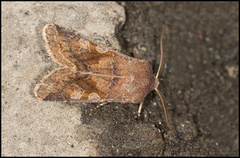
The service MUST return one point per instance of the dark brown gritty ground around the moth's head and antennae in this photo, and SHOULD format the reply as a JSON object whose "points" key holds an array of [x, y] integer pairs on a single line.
{"points": [[199, 80]]}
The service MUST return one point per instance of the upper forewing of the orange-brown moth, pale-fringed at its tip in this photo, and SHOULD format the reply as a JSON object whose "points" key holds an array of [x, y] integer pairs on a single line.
{"points": [[72, 50]]}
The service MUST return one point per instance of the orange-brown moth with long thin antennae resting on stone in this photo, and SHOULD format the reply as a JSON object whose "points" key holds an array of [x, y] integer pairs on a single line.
{"points": [[93, 72]]}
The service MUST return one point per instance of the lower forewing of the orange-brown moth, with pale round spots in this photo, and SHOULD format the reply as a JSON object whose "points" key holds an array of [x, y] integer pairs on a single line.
{"points": [[63, 84]]}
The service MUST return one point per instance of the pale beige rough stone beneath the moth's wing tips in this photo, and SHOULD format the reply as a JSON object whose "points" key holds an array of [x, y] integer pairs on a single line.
{"points": [[31, 127]]}
